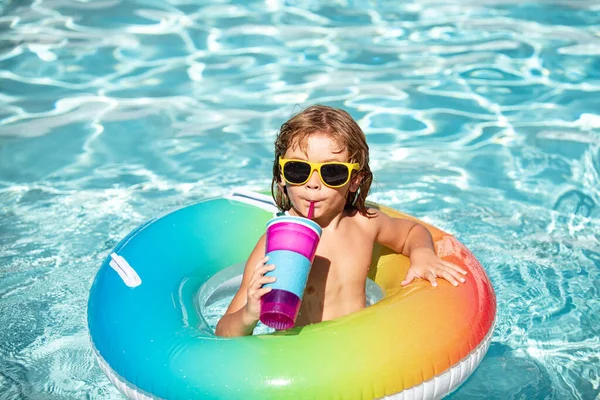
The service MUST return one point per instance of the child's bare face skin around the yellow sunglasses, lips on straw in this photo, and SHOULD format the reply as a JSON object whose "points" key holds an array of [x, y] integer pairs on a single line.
{"points": [[328, 201]]}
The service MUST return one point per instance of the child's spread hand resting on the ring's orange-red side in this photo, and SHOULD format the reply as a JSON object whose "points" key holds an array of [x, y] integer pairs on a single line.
{"points": [[426, 265]]}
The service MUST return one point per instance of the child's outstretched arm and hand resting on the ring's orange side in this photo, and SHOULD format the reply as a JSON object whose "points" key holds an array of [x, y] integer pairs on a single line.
{"points": [[414, 241]]}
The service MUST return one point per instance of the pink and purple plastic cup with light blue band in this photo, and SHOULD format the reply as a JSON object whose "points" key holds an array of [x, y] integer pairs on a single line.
{"points": [[291, 246]]}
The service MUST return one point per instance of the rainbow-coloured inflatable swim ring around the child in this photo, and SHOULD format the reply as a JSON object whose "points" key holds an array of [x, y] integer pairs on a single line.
{"points": [[146, 323]]}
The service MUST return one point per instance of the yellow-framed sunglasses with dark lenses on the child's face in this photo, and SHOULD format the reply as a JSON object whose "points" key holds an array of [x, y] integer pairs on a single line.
{"points": [[333, 174]]}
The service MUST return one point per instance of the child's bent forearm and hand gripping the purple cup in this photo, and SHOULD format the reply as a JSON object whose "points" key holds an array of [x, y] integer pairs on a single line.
{"points": [[244, 311]]}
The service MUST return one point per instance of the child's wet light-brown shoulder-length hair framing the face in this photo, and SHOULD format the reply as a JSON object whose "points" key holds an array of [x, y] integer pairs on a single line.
{"points": [[339, 126]]}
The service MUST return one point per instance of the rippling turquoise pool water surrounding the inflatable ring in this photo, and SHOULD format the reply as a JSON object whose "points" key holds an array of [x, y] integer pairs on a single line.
{"points": [[482, 119]]}
